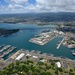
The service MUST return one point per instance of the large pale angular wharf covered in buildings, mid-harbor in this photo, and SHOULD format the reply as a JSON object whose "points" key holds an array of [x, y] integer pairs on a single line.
{"points": [[43, 38]]}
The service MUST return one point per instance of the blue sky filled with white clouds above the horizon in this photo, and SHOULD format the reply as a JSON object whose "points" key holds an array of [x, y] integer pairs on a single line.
{"points": [[36, 6]]}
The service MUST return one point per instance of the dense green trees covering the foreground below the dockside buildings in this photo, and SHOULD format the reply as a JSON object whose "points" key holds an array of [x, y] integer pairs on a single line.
{"points": [[34, 68]]}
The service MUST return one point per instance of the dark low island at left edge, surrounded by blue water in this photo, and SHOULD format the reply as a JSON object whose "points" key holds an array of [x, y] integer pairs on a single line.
{"points": [[5, 32]]}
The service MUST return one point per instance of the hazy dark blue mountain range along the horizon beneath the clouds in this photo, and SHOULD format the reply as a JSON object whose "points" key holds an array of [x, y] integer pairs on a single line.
{"points": [[44, 17]]}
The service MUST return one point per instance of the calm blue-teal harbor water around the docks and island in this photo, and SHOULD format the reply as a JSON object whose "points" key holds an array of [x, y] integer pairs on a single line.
{"points": [[21, 39]]}
